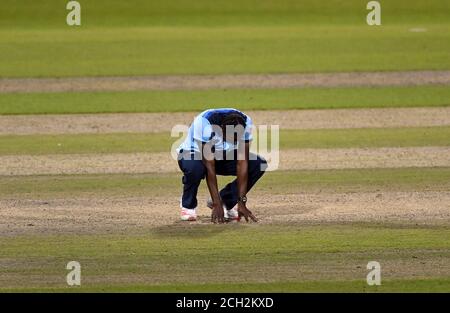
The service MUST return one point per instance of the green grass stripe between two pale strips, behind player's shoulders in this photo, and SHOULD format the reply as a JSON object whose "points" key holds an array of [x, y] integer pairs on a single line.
{"points": [[161, 142]]}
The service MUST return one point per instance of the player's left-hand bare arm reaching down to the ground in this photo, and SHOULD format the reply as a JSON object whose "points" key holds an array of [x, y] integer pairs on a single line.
{"points": [[211, 180]]}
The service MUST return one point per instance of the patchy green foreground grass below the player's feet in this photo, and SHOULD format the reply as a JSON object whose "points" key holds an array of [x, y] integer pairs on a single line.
{"points": [[172, 258]]}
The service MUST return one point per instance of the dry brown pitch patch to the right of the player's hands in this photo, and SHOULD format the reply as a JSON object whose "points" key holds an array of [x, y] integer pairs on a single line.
{"points": [[421, 207]]}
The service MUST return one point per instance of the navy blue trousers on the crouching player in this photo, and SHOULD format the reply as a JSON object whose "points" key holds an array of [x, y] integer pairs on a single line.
{"points": [[194, 171]]}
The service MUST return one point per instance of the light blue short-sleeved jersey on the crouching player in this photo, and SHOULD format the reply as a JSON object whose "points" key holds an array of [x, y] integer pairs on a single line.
{"points": [[202, 130]]}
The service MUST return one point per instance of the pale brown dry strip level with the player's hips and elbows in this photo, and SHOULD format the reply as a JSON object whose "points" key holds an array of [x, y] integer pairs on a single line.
{"points": [[295, 159]]}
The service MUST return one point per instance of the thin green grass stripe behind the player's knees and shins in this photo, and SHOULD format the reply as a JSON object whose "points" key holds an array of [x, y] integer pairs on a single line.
{"points": [[279, 182]]}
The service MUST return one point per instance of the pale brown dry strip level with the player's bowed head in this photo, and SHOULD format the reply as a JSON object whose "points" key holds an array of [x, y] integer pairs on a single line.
{"points": [[163, 122]]}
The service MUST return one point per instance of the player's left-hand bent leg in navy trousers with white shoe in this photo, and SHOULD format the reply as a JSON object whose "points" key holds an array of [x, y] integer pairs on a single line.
{"points": [[193, 173]]}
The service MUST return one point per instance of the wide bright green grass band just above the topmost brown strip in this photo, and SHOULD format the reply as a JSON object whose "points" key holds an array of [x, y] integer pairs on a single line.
{"points": [[215, 51]]}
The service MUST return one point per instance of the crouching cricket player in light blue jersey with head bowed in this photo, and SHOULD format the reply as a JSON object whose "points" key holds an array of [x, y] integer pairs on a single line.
{"points": [[218, 143]]}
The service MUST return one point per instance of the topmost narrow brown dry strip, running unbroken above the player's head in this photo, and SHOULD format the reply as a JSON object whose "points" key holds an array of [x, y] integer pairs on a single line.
{"points": [[199, 82]]}
